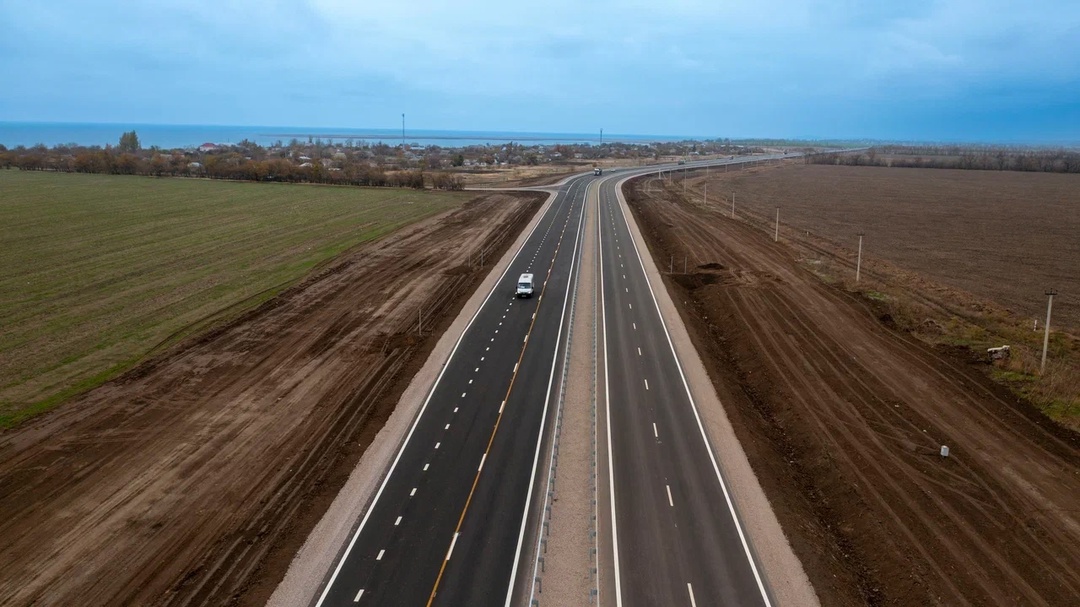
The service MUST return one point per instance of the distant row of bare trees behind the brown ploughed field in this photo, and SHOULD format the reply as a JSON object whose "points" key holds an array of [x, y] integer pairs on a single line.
{"points": [[957, 157]]}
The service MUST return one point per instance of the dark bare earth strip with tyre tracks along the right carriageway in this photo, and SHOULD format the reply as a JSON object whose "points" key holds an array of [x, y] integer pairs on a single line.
{"points": [[844, 417]]}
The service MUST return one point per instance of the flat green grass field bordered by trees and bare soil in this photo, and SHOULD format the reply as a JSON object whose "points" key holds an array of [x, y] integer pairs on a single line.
{"points": [[97, 272]]}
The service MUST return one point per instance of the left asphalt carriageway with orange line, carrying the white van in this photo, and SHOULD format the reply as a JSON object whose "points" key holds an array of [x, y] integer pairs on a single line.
{"points": [[445, 527]]}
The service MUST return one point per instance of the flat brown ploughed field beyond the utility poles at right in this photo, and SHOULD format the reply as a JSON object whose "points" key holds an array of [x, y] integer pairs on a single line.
{"points": [[1003, 236]]}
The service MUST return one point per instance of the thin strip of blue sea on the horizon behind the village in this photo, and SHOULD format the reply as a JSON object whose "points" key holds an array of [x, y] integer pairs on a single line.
{"points": [[193, 136]]}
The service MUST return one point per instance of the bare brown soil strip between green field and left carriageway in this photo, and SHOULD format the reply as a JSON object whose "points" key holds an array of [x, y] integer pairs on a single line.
{"points": [[194, 479]]}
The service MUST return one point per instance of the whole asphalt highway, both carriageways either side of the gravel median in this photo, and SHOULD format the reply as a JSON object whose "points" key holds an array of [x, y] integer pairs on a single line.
{"points": [[449, 524]]}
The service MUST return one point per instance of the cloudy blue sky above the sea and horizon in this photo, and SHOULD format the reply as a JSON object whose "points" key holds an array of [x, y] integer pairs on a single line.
{"points": [[949, 71]]}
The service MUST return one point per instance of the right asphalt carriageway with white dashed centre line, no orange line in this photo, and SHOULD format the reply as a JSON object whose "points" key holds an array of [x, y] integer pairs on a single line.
{"points": [[676, 537]]}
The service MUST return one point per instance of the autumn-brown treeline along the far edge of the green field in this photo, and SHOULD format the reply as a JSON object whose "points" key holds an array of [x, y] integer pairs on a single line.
{"points": [[227, 166]]}
